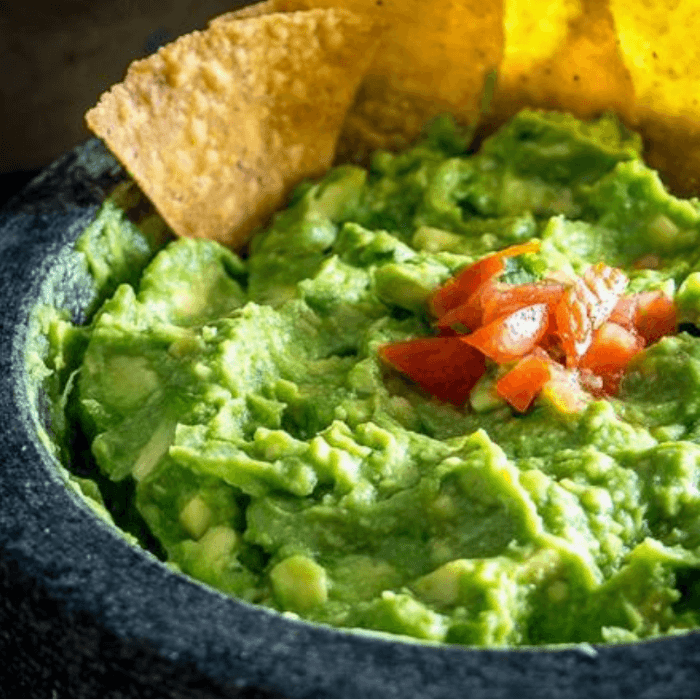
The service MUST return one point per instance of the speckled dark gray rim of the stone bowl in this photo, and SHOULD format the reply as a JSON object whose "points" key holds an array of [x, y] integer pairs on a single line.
{"points": [[86, 567]]}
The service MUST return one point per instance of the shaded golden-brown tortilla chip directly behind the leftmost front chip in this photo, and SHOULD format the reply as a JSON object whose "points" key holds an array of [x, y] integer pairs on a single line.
{"points": [[433, 58]]}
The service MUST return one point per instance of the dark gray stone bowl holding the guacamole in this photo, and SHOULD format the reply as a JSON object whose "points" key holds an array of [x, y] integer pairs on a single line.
{"points": [[83, 613]]}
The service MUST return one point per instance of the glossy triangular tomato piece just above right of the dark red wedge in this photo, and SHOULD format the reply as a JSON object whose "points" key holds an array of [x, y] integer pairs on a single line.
{"points": [[510, 337]]}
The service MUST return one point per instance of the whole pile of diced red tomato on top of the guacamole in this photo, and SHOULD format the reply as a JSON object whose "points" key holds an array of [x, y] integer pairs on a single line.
{"points": [[569, 338]]}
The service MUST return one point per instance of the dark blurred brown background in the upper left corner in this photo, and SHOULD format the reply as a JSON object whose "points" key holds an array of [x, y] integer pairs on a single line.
{"points": [[56, 58]]}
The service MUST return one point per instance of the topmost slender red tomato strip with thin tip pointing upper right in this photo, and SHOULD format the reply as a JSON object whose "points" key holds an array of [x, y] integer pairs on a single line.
{"points": [[457, 290]]}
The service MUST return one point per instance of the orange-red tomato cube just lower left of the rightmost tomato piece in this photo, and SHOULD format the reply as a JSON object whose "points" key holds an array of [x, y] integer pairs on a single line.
{"points": [[611, 350]]}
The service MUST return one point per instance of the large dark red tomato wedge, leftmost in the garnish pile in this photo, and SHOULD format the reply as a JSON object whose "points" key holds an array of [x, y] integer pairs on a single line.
{"points": [[443, 366]]}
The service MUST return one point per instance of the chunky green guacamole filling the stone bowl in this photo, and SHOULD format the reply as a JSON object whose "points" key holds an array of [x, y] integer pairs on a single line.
{"points": [[276, 458]]}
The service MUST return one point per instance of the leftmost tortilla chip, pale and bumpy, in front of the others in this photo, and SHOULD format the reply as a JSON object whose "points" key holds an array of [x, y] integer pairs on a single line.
{"points": [[219, 125]]}
